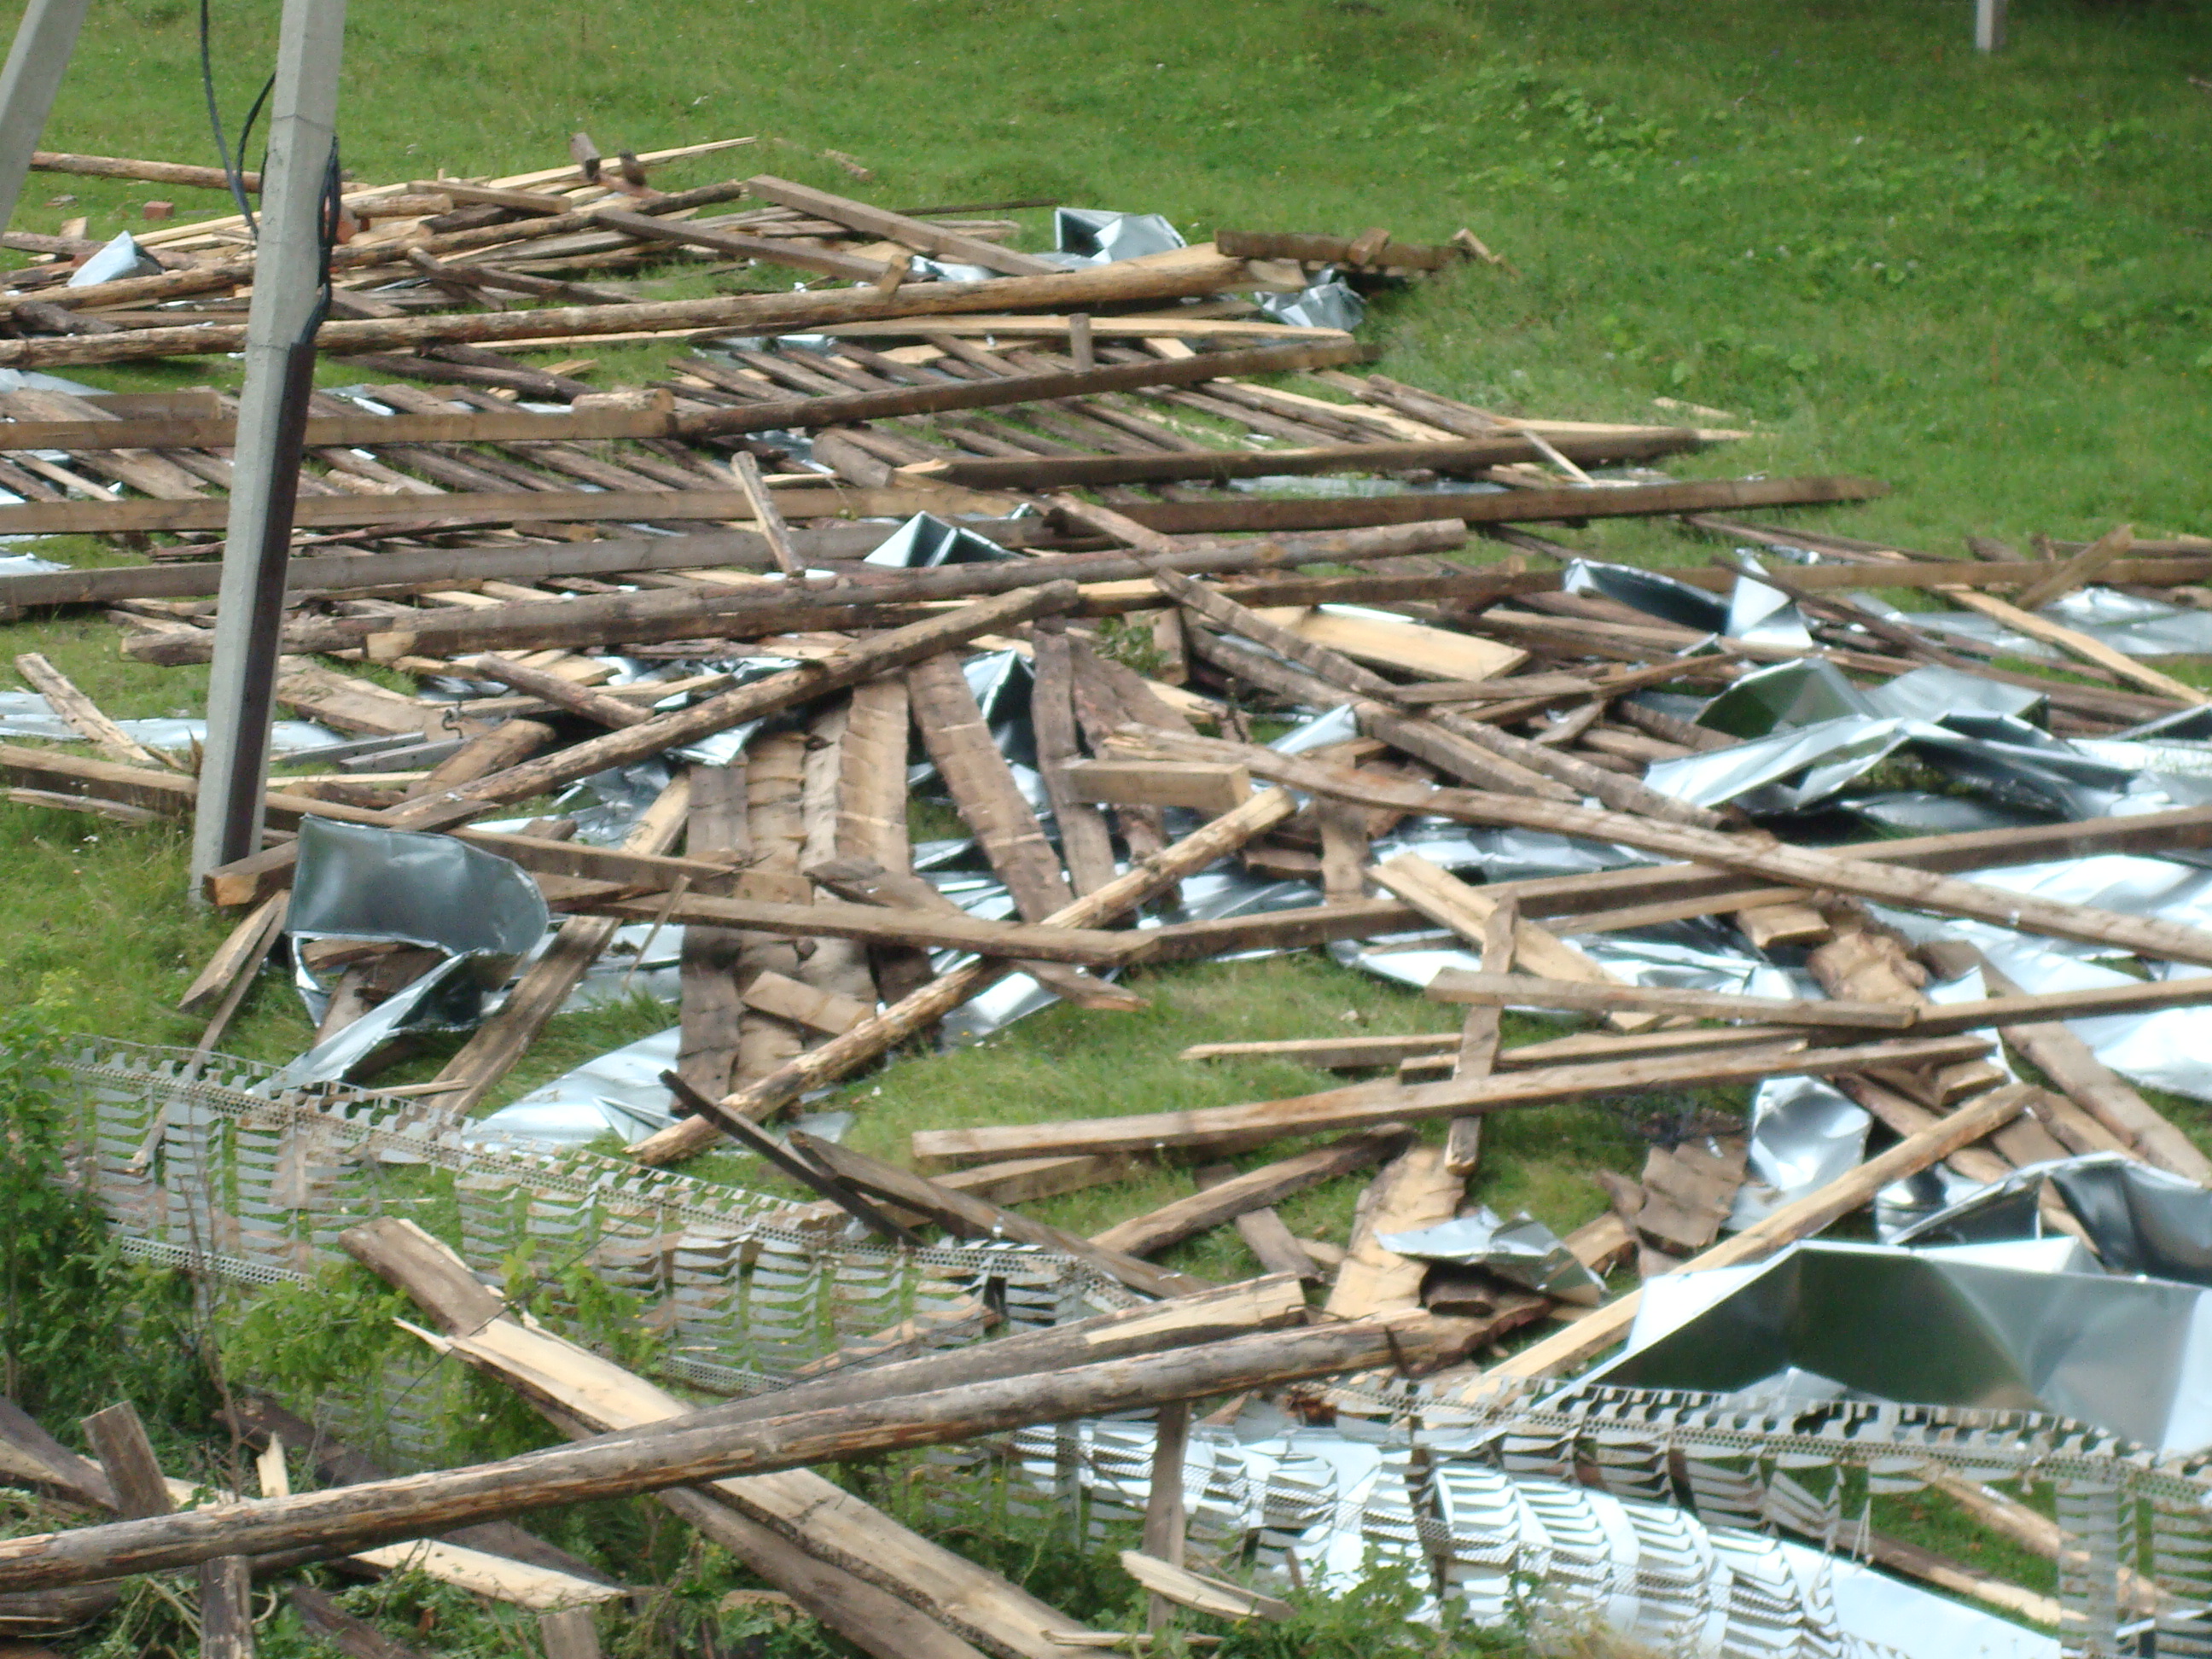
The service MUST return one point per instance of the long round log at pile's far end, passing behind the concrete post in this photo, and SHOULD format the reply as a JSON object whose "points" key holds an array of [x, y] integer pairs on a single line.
{"points": [[1196, 271]]}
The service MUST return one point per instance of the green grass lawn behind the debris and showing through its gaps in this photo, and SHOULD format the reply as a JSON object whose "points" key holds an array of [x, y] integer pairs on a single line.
{"points": [[1981, 282]]}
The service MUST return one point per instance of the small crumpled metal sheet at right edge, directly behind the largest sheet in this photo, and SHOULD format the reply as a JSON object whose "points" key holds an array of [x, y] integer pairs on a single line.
{"points": [[2138, 1218]]}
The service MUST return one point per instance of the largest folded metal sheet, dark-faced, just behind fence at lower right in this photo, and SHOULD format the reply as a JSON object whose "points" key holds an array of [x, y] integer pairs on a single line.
{"points": [[2127, 1355]]}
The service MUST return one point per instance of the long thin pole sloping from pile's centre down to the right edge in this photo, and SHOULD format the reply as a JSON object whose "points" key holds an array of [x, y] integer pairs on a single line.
{"points": [[1795, 866]]}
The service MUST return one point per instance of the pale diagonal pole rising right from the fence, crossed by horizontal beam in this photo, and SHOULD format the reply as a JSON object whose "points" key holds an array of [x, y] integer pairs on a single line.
{"points": [[935, 1001]]}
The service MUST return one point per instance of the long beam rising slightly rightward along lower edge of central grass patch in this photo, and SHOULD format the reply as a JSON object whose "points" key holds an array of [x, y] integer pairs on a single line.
{"points": [[1368, 1105]]}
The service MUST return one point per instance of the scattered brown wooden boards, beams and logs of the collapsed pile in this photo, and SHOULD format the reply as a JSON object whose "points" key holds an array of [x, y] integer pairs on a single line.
{"points": [[1083, 432]]}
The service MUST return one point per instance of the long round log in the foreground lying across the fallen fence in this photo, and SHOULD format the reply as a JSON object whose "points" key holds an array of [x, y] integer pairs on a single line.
{"points": [[353, 1519]]}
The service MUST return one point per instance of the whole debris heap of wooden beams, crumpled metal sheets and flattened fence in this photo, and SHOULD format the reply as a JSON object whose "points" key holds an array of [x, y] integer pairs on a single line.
{"points": [[1519, 782]]}
